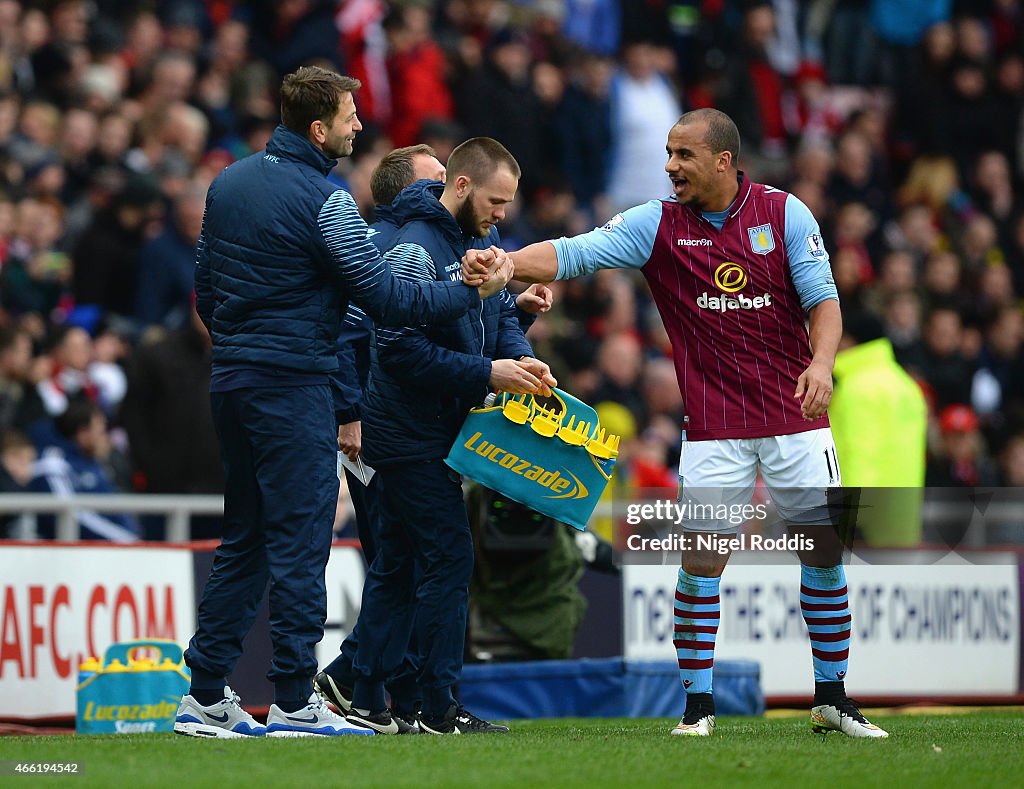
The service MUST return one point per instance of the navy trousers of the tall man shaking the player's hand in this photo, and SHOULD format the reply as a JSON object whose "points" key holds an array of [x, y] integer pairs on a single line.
{"points": [[281, 489]]}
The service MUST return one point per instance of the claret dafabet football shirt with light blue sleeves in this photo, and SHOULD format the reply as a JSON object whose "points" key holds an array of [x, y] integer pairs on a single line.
{"points": [[734, 290]]}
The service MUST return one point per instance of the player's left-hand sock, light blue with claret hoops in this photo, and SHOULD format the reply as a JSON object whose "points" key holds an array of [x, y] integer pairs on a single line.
{"points": [[698, 611]]}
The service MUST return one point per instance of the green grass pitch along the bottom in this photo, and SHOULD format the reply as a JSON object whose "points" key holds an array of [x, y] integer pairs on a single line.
{"points": [[969, 750]]}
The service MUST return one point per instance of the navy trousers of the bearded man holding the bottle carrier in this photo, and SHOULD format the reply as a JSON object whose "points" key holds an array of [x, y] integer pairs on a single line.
{"points": [[424, 523]]}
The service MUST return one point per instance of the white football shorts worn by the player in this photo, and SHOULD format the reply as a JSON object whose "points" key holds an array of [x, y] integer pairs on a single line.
{"points": [[798, 470]]}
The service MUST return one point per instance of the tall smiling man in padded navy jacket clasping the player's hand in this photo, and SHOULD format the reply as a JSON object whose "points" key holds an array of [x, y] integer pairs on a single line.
{"points": [[281, 254]]}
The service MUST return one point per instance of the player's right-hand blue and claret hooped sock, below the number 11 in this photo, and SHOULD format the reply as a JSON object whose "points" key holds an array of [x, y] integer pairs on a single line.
{"points": [[825, 603]]}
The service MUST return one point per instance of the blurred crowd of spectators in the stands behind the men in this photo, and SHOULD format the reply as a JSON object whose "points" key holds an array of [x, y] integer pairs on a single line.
{"points": [[898, 122]]}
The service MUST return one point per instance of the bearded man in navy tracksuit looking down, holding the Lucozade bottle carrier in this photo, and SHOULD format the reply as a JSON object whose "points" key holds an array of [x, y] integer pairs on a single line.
{"points": [[423, 382]]}
